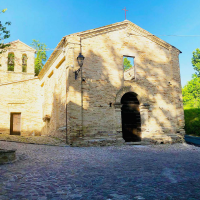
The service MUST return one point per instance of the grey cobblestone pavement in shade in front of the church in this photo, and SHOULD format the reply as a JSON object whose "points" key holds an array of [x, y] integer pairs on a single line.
{"points": [[123, 172]]}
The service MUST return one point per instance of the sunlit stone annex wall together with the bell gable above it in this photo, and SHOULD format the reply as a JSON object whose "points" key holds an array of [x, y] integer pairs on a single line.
{"points": [[20, 91]]}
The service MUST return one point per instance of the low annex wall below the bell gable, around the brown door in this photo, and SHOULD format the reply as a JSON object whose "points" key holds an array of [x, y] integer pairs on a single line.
{"points": [[22, 97]]}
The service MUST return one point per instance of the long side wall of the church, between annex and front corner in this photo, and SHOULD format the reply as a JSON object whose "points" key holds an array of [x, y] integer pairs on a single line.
{"points": [[53, 86]]}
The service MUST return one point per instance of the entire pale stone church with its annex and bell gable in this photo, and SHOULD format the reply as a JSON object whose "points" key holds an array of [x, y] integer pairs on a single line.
{"points": [[103, 103]]}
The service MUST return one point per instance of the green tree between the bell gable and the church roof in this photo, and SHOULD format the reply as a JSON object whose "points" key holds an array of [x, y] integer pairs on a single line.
{"points": [[40, 55]]}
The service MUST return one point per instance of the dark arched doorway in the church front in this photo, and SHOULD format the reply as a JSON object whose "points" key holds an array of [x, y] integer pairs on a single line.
{"points": [[131, 121]]}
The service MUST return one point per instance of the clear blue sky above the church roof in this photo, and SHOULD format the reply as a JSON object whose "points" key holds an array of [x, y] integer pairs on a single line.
{"points": [[49, 20]]}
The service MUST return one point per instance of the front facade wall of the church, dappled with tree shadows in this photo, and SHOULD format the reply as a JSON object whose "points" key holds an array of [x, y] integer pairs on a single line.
{"points": [[92, 112]]}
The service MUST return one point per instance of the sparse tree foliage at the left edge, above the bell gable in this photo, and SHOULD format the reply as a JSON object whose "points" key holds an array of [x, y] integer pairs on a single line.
{"points": [[4, 33]]}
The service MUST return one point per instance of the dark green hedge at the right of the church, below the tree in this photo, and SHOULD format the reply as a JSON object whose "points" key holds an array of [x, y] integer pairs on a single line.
{"points": [[192, 121]]}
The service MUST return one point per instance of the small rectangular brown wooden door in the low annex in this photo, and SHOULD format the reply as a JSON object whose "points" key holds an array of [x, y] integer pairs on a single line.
{"points": [[15, 128]]}
